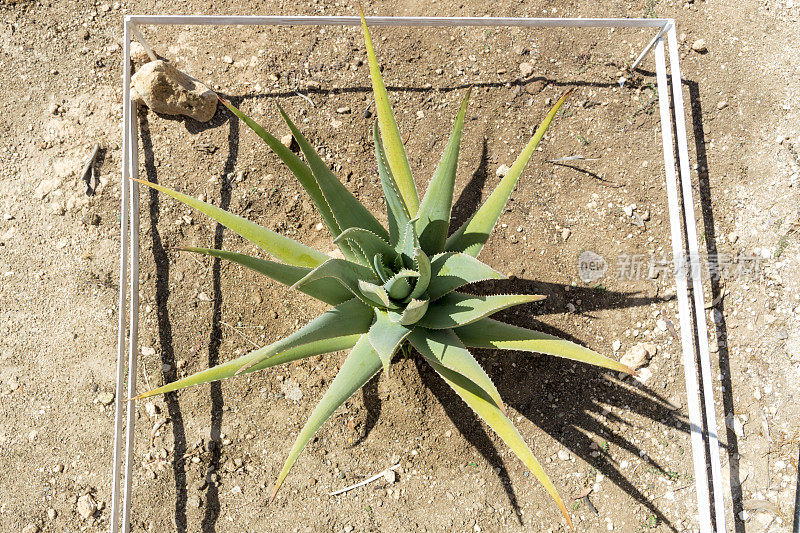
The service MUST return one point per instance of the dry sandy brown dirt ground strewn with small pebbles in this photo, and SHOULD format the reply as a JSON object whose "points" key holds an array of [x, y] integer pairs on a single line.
{"points": [[211, 464]]}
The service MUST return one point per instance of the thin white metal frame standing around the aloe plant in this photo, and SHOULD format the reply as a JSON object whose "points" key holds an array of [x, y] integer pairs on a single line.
{"points": [[681, 219]]}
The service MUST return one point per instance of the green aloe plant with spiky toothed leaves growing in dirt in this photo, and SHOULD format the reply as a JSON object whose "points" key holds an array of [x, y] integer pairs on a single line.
{"points": [[393, 288]]}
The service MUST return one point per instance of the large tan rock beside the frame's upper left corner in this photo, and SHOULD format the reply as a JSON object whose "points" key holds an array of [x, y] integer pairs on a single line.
{"points": [[165, 89]]}
